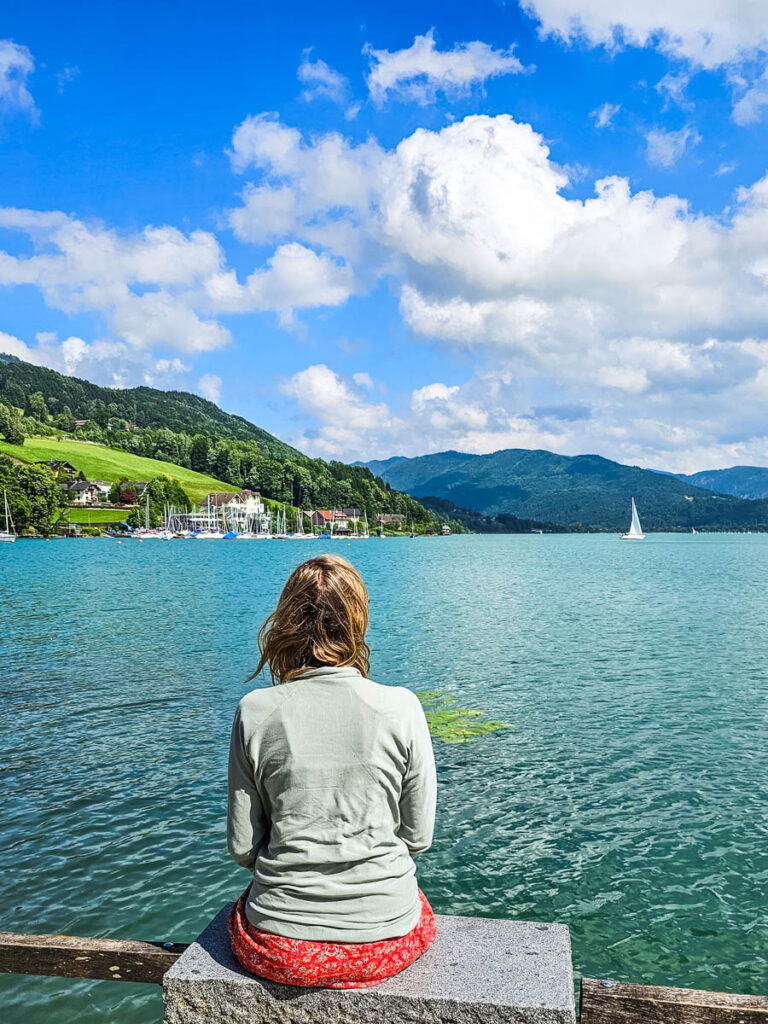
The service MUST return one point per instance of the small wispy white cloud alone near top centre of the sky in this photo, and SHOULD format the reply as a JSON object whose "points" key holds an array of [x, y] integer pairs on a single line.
{"points": [[421, 71]]}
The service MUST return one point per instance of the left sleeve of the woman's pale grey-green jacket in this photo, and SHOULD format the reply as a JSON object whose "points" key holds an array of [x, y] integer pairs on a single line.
{"points": [[246, 822]]}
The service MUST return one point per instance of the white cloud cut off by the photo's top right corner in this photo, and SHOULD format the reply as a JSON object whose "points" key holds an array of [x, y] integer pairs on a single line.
{"points": [[707, 34]]}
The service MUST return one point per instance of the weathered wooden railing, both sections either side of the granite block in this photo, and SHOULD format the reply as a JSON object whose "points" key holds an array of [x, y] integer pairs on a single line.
{"points": [[602, 1002]]}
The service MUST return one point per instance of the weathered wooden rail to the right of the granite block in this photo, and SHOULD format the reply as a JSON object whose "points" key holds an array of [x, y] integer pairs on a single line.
{"points": [[624, 1003]]}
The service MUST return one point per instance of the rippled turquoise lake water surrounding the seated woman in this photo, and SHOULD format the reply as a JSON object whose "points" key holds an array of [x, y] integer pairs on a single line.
{"points": [[630, 800]]}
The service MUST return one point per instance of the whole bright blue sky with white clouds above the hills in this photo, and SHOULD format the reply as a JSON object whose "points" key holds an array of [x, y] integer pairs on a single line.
{"points": [[380, 231]]}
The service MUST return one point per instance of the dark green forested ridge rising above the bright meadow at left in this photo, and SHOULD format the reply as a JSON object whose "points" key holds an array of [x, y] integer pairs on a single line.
{"points": [[142, 407]]}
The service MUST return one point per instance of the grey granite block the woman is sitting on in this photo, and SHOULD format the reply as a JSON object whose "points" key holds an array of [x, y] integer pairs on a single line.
{"points": [[479, 971]]}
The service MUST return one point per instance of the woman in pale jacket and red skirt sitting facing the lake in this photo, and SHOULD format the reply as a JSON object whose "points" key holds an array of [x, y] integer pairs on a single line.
{"points": [[332, 794]]}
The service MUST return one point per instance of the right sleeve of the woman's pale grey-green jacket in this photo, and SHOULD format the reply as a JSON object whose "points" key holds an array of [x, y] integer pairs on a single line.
{"points": [[419, 797]]}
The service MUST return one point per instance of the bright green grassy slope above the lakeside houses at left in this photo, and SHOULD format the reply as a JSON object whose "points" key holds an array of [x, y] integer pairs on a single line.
{"points": [[100, 463]]}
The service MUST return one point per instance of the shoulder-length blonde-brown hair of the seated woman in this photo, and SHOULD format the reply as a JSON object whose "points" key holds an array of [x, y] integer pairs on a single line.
{"points": [[321, 620]]}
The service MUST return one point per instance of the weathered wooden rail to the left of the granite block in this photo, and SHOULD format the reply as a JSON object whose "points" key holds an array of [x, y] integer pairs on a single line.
{"points": [[69, 957]]}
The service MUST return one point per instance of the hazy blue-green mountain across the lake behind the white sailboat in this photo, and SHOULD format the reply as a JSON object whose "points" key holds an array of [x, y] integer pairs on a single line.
{"points": [[586, 491]]}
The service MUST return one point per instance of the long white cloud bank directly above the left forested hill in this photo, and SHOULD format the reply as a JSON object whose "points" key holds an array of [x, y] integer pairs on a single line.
{"points": [[160, 288]]}
